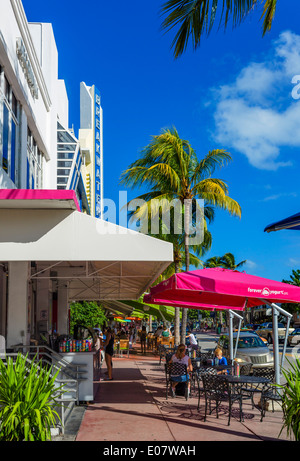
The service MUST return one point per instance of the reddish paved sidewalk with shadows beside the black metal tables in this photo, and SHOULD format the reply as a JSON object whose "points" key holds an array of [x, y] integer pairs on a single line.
{"points": [[133, 407]]}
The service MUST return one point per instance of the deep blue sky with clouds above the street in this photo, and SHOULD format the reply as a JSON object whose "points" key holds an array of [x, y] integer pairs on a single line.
{"points": [[234, 92]]}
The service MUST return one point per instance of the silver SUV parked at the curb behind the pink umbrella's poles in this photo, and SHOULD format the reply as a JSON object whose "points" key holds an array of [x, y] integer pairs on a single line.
{"points": [[250, 349]]}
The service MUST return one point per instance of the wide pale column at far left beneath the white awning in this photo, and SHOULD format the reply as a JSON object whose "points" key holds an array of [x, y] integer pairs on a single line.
{"points": [[17, 311]]}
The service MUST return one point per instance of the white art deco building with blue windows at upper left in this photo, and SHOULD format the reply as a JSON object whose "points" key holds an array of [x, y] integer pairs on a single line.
{"points": [[37, 148]]}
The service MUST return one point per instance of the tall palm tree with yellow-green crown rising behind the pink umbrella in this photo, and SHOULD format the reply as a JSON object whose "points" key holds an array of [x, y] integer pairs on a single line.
{"points": [[170, 168]]}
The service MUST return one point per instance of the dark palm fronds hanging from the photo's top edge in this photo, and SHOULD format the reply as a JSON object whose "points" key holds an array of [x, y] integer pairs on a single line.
{"points": [[196, 18]]}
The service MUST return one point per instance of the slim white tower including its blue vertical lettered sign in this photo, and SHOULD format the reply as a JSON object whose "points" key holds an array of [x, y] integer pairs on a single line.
{"points": [[91, 144]]}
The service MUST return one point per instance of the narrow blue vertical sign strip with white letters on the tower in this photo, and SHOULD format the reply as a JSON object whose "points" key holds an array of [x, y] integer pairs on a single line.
{"points": [[98, 204]]}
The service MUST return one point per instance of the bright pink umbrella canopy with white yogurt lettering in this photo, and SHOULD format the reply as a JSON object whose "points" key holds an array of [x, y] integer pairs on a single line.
{"points": [[220, 289]]}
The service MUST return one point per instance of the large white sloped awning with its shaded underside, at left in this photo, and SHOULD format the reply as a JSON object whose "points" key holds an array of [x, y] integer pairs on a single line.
{"points": [[94, 258]]}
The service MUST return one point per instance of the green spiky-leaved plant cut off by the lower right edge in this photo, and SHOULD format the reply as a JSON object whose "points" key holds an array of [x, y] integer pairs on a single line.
{"points": [[291, 400]]}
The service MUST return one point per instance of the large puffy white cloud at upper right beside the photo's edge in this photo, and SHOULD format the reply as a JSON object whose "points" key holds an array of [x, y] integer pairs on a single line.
{"points": [[256, 114]]}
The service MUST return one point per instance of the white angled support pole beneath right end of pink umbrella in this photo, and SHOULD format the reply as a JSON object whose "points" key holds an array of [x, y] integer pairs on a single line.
{"points": [[276, 310]]}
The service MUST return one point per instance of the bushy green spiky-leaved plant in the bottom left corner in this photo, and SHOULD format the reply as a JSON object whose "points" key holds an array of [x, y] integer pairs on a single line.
{"points": [[28, 396]]}
